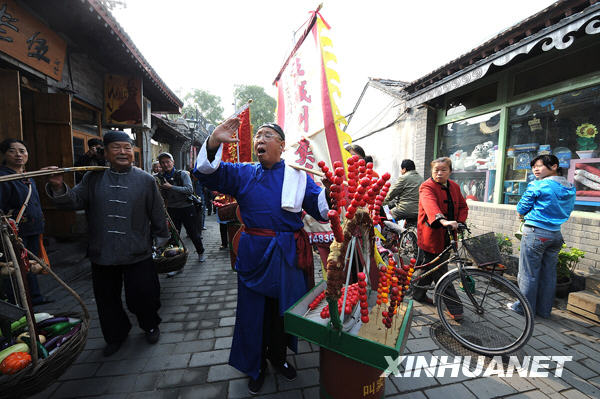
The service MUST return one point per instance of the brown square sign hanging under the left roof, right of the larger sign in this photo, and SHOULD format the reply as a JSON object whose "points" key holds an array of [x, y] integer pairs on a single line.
{"points": [[122, 100]]}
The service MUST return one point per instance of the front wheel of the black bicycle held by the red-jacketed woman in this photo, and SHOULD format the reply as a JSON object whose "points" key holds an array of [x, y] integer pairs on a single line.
{"points": [[492, 329]]}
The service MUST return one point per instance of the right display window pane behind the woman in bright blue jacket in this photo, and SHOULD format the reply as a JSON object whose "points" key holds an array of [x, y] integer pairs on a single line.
{"points": [[565, 125]]}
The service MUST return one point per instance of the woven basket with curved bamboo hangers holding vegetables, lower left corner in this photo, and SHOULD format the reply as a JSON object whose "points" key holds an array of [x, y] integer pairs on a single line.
{"points": [[42, 373]]}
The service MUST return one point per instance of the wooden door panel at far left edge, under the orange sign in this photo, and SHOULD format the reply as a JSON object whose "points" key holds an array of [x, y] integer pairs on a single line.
{"points": [[10, 105]]}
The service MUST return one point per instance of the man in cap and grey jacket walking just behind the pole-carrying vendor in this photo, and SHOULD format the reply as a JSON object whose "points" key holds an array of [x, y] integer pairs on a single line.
{"points": [[176, 188]]}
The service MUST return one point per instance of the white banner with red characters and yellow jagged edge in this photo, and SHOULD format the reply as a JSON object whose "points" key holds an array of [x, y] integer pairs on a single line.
{"points": [[306, 109]]}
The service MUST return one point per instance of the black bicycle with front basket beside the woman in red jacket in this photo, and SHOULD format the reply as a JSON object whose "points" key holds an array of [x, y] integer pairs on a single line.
{"points": [[486, 325]]}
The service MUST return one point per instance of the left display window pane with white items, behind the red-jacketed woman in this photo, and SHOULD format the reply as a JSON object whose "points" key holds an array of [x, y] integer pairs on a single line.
{"points": [[472, 145]]}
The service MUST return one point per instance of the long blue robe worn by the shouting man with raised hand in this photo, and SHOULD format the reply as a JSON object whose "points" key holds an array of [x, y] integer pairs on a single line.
{"points": [[266, 266]]}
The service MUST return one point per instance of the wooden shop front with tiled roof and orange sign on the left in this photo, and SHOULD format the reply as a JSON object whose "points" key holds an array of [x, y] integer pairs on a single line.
{"points": [[67, 74]]}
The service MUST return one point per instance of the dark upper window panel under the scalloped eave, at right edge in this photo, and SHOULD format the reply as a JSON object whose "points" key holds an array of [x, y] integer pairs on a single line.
{"points": [[583, 62]]}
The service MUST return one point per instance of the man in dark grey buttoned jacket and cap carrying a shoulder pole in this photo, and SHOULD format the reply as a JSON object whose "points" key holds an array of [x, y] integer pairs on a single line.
{"points": [[124, 211]]}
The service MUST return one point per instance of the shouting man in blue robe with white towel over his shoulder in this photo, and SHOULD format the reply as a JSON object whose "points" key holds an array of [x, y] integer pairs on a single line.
{"points": [[271, 197]]}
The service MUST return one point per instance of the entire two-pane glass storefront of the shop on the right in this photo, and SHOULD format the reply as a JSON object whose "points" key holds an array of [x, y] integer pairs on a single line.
{"points": [[566, 125]]}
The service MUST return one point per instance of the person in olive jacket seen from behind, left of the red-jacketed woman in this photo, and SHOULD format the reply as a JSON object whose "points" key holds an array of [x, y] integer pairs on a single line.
{"points": [[403, 198]]}
